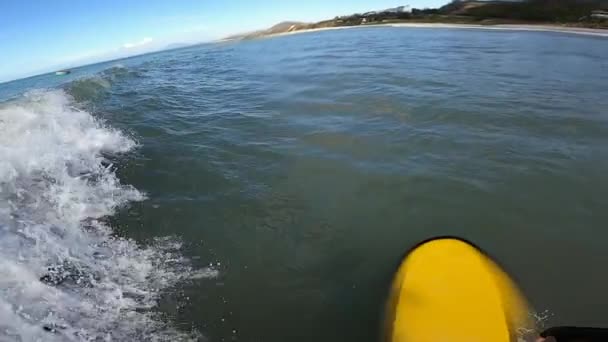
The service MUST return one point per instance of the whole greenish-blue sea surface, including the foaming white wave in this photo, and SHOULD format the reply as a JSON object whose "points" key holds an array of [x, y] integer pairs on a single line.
{"points": [[266, 190]]}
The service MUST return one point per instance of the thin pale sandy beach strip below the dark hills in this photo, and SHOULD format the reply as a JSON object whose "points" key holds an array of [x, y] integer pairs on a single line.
{"points": [[503, 27]]}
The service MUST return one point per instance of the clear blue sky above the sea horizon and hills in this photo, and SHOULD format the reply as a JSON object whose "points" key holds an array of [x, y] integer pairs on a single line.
{"points": [[38, 36]]}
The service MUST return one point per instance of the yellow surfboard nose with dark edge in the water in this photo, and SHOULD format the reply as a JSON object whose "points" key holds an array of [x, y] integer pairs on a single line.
{"points": [[447, 290]]}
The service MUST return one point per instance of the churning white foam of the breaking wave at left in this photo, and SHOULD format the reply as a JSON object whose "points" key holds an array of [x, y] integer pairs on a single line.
{"points": [[63, 277]]}
